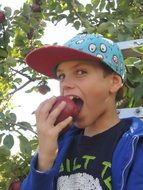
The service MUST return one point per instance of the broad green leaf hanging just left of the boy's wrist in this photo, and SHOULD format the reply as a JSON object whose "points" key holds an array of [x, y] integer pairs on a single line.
{"points": [[25, 146]]}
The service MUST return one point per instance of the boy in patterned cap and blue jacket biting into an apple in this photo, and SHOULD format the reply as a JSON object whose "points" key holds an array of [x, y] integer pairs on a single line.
{"points": [[99, 151]]}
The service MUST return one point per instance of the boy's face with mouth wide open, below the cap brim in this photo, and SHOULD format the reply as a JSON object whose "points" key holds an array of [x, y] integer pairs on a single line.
{"points": [[87, 81]]}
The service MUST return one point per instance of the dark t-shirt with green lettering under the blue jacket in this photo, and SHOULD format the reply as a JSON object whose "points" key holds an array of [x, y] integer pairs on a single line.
{"points": [[87, 164]]}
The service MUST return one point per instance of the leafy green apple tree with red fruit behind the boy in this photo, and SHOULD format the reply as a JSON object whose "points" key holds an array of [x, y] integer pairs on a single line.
{"points": [[21, 32]]}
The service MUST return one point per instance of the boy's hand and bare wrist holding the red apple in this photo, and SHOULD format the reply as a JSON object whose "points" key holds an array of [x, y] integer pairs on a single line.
{"points": [[48, 132]]}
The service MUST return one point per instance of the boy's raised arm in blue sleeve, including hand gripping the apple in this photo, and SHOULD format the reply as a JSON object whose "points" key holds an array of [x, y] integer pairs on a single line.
{"points": [[42, 172]]}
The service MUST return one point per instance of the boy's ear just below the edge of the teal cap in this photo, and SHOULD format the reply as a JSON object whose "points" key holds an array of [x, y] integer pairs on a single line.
{"points": [[116, 83]]}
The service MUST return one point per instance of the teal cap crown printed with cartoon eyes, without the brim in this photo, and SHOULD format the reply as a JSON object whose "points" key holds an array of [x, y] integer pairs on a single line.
{"points": [[99, 46]]}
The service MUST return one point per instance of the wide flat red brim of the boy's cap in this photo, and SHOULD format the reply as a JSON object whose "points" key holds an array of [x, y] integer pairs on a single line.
{"points": [[45, 59]]}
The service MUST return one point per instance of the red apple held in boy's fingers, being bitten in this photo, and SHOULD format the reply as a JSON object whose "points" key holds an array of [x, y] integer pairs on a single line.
{"points": [[71, 108]]}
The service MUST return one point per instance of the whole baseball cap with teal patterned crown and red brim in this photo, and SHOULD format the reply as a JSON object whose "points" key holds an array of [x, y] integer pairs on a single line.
{"points": [[90, 47]]}
